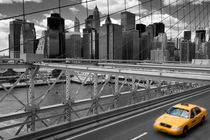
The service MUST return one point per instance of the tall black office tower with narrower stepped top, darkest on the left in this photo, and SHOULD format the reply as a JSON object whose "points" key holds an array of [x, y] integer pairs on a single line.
{"points": [[56, 36]]}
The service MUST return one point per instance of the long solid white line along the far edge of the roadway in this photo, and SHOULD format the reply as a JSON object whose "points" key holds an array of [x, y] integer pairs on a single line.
{"points": [[125, 119]]}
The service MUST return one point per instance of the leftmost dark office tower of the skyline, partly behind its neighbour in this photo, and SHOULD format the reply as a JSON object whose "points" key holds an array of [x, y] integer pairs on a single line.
{"points": [[14, 38]]}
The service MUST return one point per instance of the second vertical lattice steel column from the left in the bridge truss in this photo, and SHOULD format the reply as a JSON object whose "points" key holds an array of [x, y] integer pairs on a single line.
{"points": [[68, 96]]}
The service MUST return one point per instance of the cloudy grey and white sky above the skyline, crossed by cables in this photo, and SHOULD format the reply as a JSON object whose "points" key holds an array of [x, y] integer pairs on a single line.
{"points": [[170, 16]]}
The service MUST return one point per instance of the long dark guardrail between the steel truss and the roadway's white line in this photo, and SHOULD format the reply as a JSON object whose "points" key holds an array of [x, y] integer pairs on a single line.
{"points": [[95, 119]]}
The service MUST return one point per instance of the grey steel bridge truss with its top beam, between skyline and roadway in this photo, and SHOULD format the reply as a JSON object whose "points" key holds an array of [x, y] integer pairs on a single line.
{"points": [[109, 88]]}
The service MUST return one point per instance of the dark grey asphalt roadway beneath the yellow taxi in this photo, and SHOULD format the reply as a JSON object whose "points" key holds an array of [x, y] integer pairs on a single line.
{"points": [[140, 127]]}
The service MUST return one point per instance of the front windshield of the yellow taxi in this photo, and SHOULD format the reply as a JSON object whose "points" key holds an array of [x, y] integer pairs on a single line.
{"points": [[179, 112]]}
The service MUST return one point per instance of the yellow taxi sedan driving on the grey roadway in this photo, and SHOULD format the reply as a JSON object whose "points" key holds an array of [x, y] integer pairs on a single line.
{"points": [[181, 117]]}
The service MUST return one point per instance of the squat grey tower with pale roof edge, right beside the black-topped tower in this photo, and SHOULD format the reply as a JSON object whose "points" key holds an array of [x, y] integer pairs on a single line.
{"points": [[73, 44]]}
